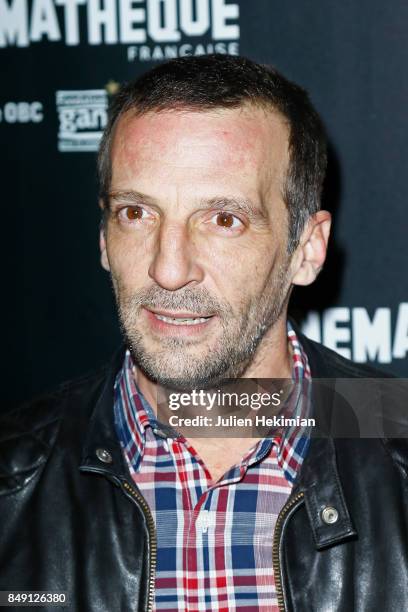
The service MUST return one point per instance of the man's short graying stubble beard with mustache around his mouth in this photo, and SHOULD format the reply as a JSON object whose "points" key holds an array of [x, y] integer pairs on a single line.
{"points": [[171, 366]]}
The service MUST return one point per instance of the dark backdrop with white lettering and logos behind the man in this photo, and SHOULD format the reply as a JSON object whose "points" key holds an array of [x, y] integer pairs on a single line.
{"points": [[62, 61]]}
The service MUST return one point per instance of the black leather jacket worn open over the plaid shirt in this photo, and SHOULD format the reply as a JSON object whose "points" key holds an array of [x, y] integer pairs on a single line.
{"points": [[72, 520]]}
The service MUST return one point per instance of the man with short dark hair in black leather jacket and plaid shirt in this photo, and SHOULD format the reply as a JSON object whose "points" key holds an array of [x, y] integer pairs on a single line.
{"points": [[211, 172]]}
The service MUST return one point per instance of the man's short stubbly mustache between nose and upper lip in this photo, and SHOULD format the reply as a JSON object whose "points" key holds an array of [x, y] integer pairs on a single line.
{"points": [[197, 300]]}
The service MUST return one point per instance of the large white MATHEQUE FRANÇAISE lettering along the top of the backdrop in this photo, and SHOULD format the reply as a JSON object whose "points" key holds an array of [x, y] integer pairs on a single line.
{"points": [[155, 29]]}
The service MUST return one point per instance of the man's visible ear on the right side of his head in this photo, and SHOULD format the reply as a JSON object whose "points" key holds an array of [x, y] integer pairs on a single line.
{"points": [[309, 257]]}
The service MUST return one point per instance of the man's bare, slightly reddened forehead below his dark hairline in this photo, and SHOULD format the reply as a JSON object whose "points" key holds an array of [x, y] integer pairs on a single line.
{"points": [[247, 146]]}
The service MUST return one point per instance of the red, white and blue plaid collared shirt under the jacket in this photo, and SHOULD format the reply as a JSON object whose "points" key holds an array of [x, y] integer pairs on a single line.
{"points": [[214, 540]]}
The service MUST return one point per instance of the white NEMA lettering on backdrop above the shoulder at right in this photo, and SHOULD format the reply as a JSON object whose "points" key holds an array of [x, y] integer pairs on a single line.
{"points": [[355, 334]]}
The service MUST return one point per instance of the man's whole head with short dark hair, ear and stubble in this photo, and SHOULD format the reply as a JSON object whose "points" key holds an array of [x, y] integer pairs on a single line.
{"points": [[211, 171]]}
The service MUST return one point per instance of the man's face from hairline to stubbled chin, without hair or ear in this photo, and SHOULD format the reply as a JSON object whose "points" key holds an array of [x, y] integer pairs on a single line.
{"points": [[196, 239]]}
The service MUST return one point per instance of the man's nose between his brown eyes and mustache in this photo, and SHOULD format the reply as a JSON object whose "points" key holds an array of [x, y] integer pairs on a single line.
{"points": [[175, 262]]}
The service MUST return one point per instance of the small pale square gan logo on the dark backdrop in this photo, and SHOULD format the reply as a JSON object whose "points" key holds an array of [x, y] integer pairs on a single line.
{"points": [[82, 118]]}
